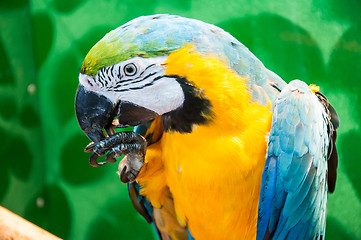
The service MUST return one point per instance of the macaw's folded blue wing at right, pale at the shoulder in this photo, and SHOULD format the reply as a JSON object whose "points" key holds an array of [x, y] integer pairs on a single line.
{"points": [[294, 192]]}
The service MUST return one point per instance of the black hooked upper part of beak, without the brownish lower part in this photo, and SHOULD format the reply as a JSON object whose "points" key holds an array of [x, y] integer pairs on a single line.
{"points": [[93, 112]]}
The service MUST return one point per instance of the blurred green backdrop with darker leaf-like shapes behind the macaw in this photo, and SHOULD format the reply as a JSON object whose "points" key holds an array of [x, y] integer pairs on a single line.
{"points": [[44, 174]]}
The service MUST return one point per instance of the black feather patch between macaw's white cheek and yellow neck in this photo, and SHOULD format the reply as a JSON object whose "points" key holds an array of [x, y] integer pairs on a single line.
{"points": [[196, 109]]}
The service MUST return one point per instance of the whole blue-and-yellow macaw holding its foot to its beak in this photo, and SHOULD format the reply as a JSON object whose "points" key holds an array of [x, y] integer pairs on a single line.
{"points": [[223, 148]]}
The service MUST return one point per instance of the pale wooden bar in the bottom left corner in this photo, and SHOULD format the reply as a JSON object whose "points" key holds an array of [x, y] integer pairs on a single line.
{"points": [[14, 227]]}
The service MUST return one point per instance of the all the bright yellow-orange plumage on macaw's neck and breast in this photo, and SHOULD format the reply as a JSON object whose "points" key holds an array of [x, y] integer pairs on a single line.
{"points": [[213, 173]]}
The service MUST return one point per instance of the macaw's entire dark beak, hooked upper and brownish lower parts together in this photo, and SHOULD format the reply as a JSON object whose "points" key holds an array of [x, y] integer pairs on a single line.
{"points": [[96, 112]]}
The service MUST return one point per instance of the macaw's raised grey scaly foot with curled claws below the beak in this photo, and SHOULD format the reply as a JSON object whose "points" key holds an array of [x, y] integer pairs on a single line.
{"points": [[130, 144]]}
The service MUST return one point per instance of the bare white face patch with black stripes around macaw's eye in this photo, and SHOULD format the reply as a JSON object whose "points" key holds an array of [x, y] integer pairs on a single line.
{"points": [[146, 87]]}
